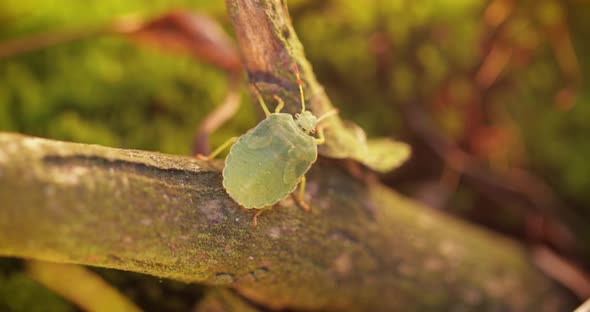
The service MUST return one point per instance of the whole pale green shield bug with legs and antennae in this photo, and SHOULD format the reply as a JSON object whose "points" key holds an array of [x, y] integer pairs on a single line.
{"points": [[266, 164]]}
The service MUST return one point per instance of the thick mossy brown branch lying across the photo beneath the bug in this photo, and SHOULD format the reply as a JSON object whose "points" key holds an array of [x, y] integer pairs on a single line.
{"points": [[363, 247]]}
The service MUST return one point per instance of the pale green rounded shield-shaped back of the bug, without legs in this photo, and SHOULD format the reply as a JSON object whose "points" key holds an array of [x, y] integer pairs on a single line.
{"points": [[267, 163]]}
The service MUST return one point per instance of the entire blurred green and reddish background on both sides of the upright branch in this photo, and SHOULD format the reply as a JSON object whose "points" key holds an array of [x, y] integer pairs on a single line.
{"points": [[500, 80]]}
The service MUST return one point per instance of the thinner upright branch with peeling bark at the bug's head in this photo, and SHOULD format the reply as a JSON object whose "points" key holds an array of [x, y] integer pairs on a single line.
{"points": [[270, 47]]}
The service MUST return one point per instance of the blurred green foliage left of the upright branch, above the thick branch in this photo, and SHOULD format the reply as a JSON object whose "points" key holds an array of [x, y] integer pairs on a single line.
{"points": [[106, 90]]}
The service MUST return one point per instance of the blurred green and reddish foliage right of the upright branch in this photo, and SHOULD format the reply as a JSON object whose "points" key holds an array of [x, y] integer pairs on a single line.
{"points": [[500, 79]]}
